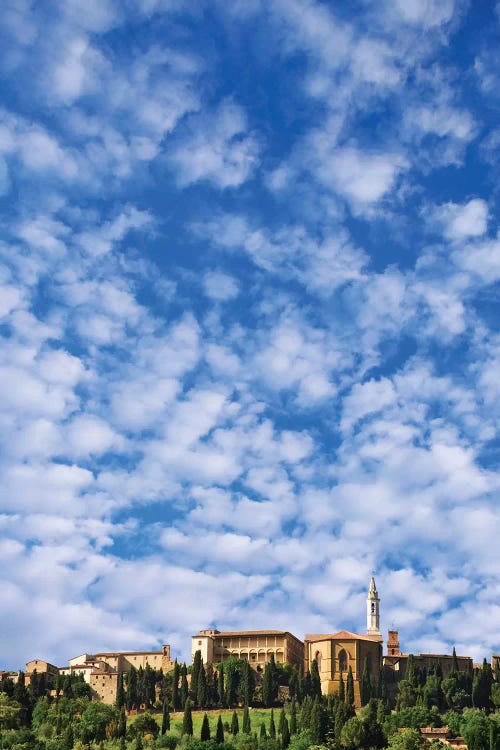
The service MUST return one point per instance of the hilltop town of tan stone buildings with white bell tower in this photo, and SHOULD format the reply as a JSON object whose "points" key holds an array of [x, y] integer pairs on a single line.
{"points": [[334, 656]]}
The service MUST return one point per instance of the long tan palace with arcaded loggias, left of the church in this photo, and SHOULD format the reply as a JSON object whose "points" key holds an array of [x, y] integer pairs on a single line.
{"points": [[255, 646]]}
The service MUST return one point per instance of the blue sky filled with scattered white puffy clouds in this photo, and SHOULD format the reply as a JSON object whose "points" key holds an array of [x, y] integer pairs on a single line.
{"points": [[249, 300]]}
